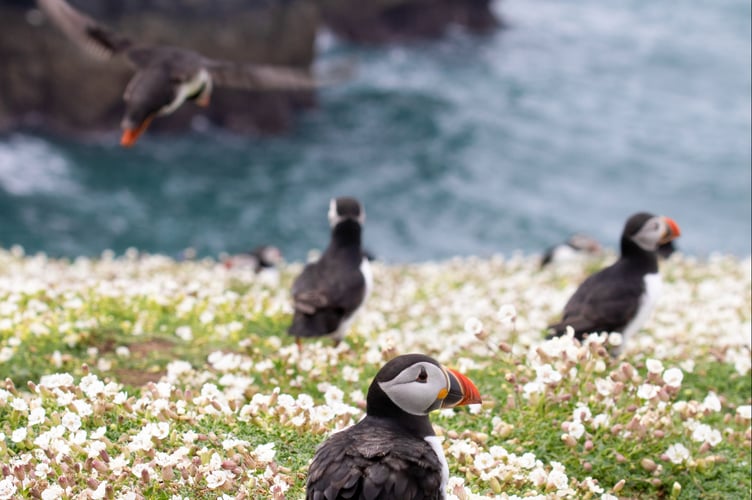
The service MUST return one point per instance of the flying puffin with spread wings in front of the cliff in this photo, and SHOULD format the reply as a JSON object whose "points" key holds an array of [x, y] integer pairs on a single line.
{"points": [[165, 77]]}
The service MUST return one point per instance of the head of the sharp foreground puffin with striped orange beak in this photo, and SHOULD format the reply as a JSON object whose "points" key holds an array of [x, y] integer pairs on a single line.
{"points": [[417, 384]]}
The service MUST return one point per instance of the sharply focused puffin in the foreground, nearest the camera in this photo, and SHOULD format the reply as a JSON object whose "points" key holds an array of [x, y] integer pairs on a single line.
{"points": [[393, 453]]}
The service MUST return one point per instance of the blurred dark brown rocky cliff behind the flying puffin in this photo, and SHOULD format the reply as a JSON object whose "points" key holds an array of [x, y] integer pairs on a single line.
{"points": [[48, 84]]}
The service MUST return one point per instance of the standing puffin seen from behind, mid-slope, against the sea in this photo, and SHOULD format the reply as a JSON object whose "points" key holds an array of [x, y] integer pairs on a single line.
{"points": [[330, 290]]}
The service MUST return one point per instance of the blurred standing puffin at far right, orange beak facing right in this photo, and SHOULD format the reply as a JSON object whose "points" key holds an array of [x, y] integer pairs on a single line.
{"points": [[619, 298]]}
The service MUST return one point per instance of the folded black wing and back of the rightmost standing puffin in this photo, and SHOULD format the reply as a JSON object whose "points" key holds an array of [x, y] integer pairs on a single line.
{"points": [[606, 301]]}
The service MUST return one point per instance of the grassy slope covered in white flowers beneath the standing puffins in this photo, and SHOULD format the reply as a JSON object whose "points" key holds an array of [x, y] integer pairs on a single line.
{"points": [[77, 318]]}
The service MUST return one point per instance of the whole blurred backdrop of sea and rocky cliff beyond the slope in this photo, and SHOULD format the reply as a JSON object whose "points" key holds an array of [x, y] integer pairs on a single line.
{"points": [[470, 128]]}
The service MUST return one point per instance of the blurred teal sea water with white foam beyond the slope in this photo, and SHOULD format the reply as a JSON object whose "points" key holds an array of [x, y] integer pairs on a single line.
{"points": [[575, 116]]}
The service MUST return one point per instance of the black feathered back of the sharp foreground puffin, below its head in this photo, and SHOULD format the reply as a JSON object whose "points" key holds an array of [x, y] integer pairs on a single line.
{"points": [[366, 462]]}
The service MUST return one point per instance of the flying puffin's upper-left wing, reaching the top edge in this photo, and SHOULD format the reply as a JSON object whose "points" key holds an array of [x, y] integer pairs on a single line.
{"points": [[96, 39]]}
